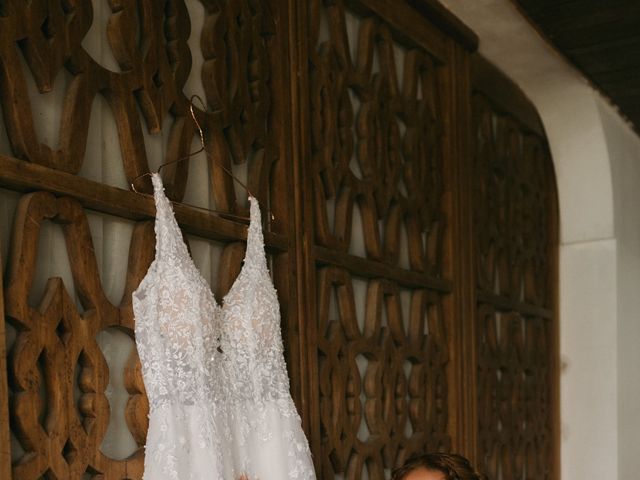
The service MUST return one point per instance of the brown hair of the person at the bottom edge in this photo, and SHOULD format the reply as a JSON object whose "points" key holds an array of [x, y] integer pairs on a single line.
{"points": [[452, 465]]}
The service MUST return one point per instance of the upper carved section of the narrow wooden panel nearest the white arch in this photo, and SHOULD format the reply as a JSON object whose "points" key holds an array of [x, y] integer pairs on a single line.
{"points": [[512, 208]]}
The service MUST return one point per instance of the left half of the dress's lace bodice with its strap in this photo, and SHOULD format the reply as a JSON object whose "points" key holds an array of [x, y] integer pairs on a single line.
{"points": [[175, 315]]}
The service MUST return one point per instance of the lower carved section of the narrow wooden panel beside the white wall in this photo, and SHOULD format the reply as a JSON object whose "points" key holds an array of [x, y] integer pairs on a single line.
{"points": [[514, 397]]}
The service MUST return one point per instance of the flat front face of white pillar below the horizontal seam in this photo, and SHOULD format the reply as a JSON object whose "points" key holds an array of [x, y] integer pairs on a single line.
{"points": [[588, 341]]}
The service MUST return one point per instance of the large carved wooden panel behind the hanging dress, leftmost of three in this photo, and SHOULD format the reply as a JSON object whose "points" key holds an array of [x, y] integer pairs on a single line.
{"points": [[58, 373]]}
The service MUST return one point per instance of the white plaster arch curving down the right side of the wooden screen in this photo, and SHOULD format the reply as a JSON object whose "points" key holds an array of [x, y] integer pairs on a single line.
{"points": [[597, 162]]}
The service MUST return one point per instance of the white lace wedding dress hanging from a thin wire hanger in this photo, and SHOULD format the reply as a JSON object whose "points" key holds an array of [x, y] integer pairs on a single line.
{"points": [[215, 375]]}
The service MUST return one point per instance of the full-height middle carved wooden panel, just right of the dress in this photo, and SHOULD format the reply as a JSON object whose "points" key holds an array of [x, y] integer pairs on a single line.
{"points": [[376, 141]]}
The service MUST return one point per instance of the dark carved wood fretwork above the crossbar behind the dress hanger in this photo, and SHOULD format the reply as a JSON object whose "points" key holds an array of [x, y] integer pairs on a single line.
{"points": [[149, 41]]}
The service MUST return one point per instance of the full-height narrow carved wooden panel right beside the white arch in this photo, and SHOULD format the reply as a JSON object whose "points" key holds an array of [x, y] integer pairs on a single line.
{"points": [[514, 241]]}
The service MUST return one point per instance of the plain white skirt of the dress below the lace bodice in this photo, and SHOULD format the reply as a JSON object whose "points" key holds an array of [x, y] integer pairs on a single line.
{"points": [[262, 442]]}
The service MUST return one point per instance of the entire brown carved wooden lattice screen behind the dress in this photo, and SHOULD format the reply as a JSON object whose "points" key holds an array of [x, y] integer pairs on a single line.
{"points": [[414, 317]]}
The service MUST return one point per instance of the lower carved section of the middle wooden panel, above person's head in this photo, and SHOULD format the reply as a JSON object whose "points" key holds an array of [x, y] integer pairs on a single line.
{"points": [[387, 375]]}
